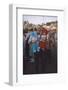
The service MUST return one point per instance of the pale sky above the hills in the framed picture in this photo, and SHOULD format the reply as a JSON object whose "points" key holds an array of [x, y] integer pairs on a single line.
{"points": [[39, 19]]}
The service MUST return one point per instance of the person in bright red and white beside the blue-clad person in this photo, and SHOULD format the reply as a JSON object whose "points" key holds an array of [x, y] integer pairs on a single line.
{"points": [[43, 54]]}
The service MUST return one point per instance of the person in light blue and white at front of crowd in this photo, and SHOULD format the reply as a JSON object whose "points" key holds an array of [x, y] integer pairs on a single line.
{"points": [[33, 44]]}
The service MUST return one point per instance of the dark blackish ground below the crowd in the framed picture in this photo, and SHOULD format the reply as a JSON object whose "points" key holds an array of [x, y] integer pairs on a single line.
{"points": [[47, 63]]}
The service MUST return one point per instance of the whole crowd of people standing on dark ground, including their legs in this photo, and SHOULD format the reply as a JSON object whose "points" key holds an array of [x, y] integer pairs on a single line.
{"points": [[38, 42]]}
